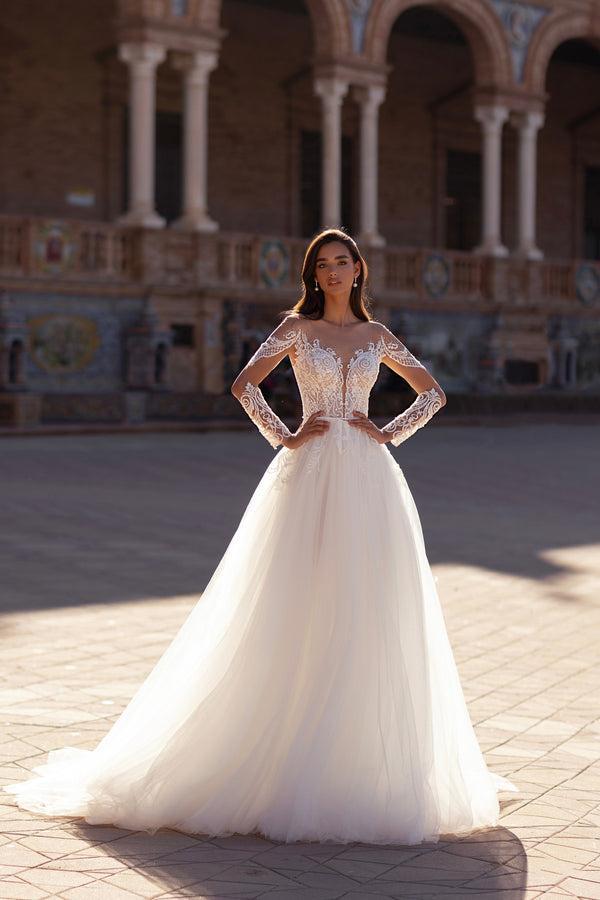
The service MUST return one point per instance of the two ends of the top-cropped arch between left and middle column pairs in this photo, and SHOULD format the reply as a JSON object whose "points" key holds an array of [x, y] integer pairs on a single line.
{"points": [[330, 21]]}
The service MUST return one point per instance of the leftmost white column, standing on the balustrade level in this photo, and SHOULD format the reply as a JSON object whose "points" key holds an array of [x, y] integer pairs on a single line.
{"points": [[142, 60]]}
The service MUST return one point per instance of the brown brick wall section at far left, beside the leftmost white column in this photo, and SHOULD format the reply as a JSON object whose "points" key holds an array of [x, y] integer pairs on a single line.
{"points": [[51, 126]]}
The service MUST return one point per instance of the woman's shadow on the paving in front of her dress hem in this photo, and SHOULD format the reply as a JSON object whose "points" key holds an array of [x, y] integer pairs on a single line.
{"points": [[490, 863]]}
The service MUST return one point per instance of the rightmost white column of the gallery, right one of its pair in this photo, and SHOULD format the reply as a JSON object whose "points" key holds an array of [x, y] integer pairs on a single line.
{"points": [[528, 125]]}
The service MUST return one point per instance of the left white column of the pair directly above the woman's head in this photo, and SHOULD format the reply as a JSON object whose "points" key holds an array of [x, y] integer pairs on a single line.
{"points": [[332, 92]]}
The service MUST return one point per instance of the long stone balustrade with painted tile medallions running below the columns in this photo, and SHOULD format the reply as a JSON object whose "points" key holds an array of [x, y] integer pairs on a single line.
{"points": [[100, 252]]}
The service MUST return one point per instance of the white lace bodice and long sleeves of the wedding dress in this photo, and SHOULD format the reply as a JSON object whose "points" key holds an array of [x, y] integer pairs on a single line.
{"points": [[336, 387]]}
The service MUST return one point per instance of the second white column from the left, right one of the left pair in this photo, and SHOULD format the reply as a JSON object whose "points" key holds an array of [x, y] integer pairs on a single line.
{"points": [[196, 71]]}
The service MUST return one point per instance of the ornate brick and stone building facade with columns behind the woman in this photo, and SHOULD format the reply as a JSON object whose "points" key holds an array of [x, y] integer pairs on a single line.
{"points": [[163, 163]]}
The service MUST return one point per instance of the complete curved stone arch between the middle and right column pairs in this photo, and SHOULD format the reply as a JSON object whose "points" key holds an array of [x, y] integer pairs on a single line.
{"points": [[479, 23]]}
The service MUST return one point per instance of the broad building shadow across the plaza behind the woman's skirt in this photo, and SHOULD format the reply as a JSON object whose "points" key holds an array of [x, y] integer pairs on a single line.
{"points": [[103, 518]]}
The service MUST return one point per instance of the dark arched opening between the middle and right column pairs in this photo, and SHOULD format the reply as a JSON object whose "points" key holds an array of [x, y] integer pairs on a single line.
{"points": [[430, 143]]}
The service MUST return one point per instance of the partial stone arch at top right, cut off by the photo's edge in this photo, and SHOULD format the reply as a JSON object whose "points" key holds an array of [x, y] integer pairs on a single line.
{"points": [[554, 30]]}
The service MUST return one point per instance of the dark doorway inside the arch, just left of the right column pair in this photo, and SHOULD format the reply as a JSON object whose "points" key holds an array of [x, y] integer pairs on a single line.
{"points": [[463, 200]]}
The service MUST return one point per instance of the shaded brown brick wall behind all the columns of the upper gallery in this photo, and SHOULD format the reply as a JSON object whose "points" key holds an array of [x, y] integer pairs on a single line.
{"points": [[65, 95]]}
